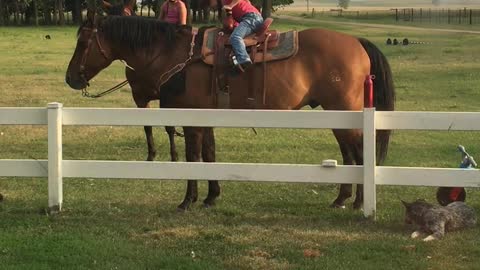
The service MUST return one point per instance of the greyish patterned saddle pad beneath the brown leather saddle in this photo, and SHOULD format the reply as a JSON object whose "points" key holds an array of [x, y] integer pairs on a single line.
{"points": [[287, 47]]}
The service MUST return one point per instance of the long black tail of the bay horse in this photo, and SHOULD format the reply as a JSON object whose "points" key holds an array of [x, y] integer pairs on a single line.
{"points": [[384, 92]]}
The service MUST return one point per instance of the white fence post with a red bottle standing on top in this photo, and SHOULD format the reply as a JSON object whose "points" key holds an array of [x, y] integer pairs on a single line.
{"points": [[369, 163]]}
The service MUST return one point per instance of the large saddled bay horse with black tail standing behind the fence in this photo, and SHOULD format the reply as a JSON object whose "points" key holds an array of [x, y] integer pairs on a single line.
{"points": [[328, 70]]}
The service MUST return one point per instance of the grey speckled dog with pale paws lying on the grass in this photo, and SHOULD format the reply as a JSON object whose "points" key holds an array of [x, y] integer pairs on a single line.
{"points": [[436, 220]]}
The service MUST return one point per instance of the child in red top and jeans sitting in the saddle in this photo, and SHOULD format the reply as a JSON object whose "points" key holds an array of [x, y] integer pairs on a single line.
{"points": [[249, 20]]}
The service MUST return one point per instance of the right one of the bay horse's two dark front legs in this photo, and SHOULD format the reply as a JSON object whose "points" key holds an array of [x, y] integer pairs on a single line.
{"points": [[208, 155]]}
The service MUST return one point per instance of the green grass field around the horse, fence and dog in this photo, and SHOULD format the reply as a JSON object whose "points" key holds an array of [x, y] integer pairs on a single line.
{"points": [[122, 224]]}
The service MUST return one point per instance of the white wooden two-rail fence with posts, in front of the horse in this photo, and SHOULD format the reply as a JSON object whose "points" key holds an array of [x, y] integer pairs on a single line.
{"points": [[55, 116]]}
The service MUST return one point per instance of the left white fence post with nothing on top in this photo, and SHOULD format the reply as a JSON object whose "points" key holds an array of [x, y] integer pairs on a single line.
{"points": [[55, 181]]}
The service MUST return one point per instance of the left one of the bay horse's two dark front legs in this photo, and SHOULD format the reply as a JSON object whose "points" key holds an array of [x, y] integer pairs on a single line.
{"points": [[193, 149]]}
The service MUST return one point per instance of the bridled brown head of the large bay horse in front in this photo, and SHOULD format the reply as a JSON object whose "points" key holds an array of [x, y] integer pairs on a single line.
{"points": [[91, 55]]}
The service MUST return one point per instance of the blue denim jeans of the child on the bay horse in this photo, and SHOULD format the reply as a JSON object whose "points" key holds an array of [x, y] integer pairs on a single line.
{"points": [[248, 24]]}
